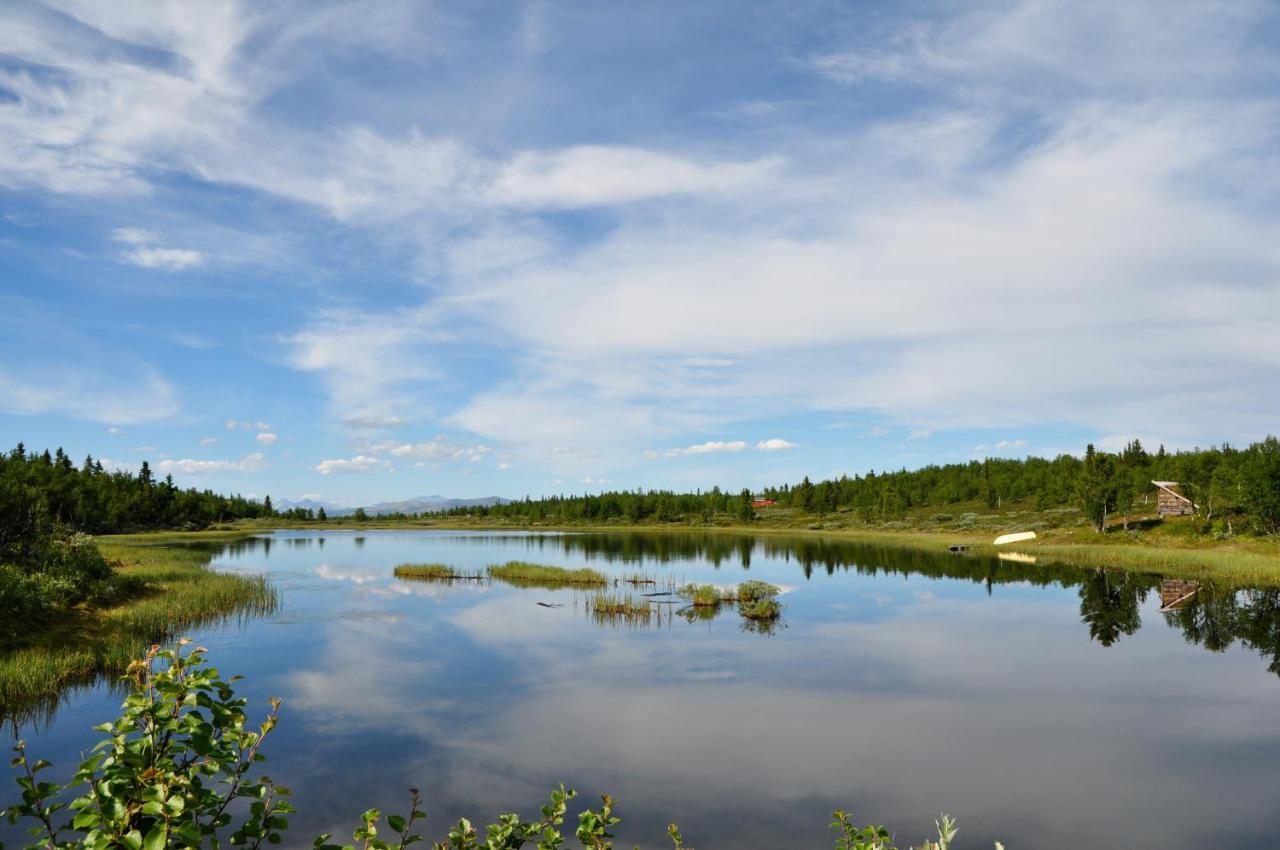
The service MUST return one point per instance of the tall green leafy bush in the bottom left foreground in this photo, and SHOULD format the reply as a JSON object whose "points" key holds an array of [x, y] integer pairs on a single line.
{"points": [[147, 787]]}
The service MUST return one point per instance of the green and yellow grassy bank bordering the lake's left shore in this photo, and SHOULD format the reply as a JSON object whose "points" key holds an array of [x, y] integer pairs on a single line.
{"points": [[163, 591]]}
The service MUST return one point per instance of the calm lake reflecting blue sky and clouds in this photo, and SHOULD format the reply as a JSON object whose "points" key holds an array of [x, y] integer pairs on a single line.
{"points": [[1046, 707]]}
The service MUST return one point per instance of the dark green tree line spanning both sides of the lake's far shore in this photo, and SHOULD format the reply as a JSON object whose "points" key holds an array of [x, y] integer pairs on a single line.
{"points": [[1233, 490]]}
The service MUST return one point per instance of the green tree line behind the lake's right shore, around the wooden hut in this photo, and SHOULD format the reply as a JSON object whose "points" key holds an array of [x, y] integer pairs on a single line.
{"points": [[1236, 488]]}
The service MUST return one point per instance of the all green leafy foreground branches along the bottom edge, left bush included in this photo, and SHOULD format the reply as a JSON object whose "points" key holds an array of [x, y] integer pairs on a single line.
{"points": [[176, 770]]}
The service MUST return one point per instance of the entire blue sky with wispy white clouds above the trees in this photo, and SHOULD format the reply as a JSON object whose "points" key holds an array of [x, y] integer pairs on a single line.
{"points": [[365, 252]]}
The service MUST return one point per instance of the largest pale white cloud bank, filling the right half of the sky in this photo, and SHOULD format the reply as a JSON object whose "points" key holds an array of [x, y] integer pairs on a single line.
{"points": [[1136, 203]]}
